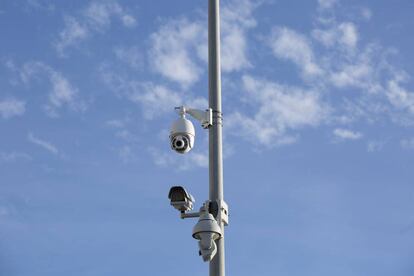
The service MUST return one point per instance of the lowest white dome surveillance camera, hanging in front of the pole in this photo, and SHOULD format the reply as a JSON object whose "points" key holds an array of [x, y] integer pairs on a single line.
{"points": [[207, 231]]}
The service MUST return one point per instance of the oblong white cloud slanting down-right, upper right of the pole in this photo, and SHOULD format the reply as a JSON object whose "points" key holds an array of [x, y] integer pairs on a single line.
{"points": [[290, 45]]}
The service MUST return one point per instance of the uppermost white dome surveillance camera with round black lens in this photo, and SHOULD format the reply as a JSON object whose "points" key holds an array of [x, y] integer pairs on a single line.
{"points": [[182, 135]]}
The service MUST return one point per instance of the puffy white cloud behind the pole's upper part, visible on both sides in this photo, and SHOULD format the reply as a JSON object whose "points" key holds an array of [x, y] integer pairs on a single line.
{"points": [[179, 45]]}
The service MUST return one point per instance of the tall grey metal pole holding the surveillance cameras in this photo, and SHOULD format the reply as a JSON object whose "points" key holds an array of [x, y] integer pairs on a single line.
{"points": [[217, 265]]}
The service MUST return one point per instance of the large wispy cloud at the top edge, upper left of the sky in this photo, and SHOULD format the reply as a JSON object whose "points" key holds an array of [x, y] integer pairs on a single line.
{"points": [[95, 18]]}
